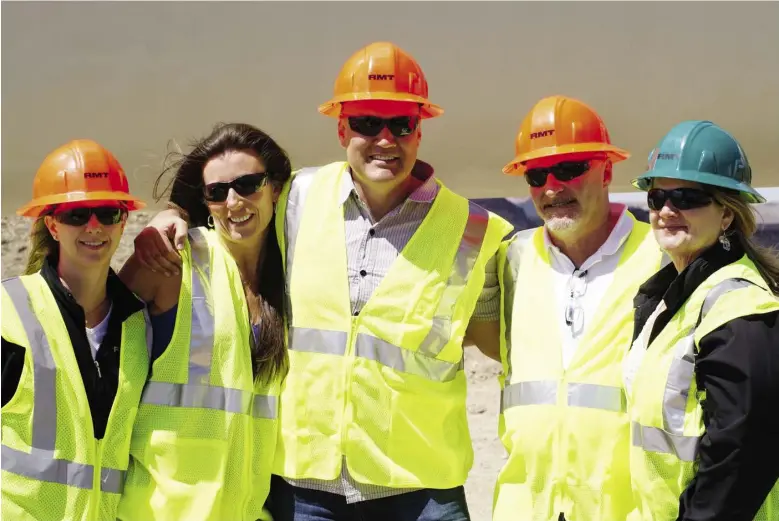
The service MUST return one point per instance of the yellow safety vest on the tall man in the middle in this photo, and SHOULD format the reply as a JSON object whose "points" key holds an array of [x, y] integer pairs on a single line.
{"points": [[385, 390]]}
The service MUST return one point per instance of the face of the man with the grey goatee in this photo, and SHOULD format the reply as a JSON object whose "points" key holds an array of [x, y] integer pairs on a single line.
{"points": [[574, 206]]}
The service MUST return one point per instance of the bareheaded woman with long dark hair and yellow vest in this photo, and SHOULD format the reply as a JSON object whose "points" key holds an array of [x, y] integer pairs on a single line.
{"points": [[205, 434]]}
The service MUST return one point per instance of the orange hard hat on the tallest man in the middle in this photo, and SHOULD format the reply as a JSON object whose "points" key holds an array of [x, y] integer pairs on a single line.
{"points": [[381, 71]]}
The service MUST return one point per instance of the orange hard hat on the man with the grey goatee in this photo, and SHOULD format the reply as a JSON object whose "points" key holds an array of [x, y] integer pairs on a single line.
{"points": [[559, 125]]}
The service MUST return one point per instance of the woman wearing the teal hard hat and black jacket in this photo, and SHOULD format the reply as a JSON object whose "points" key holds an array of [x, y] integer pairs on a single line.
{"points": [[702, 374]]}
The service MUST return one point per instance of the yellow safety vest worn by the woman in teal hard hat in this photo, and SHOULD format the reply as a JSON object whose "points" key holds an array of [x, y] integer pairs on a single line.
{"points": [[665, 402]]}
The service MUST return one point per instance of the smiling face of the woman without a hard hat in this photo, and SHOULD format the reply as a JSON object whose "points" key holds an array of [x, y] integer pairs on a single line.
{"points": [[240, 217]]}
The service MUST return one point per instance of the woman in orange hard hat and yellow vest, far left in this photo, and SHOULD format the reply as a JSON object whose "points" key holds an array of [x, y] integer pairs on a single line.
{"points": [[74, 345]]}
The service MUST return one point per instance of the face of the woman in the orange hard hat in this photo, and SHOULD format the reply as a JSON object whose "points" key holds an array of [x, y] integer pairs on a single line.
{"points": [[89, 245]]}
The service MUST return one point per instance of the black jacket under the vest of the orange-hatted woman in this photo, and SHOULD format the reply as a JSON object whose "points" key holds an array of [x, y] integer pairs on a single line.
{"points": [[100, 376]]}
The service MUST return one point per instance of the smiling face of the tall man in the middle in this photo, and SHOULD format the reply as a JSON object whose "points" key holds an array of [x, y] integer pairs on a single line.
{"points": [[384, 158]]}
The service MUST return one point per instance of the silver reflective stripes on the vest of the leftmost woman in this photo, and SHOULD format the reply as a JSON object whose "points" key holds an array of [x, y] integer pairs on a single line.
{"points": [[40, 463]]}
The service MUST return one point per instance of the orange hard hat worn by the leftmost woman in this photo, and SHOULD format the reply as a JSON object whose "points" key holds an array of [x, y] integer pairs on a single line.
{"points": [[81, 170]]}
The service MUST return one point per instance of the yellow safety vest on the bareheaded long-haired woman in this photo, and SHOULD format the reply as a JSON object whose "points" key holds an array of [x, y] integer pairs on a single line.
{"points": [[203, 442]]}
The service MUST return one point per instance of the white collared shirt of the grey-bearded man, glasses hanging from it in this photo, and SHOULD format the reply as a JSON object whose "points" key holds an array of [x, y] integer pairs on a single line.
{"points": [[589, 283]]}
